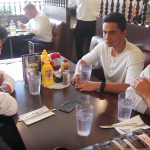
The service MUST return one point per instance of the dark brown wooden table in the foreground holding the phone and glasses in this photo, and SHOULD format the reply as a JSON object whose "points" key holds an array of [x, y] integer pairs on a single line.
{"points": [[60, 129]]}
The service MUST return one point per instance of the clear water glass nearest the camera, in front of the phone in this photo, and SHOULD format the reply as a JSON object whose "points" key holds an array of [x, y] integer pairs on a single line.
{"points": [[84, 118]]}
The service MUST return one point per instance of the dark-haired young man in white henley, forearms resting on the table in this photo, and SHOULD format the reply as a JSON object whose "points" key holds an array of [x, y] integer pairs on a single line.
{"points": [[120, 59]]}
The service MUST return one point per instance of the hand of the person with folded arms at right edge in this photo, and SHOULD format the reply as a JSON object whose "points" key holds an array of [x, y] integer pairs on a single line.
{"points": [[142, 87]]}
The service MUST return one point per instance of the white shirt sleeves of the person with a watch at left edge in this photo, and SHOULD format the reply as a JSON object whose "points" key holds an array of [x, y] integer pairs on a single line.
{"points": [[8, 105]]}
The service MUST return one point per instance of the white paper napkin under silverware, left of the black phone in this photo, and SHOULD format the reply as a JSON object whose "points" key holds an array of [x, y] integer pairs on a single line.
{"points": [[37, 118]]}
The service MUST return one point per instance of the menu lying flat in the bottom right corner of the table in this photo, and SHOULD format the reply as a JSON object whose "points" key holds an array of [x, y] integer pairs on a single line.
{"points": [[136, 140]]}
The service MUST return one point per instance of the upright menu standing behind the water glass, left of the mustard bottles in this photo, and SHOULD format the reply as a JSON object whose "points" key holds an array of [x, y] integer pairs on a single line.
{"points": [[30, 62]]}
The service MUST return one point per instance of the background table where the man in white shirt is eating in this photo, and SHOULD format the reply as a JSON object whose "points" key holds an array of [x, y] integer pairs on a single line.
{"points": [[18, 35]]}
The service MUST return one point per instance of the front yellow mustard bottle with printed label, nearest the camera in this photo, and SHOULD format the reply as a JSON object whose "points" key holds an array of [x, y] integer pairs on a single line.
{"points": [[47, 73]]}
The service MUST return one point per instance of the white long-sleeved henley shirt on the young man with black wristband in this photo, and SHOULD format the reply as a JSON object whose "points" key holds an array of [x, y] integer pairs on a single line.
{"points": [[118, 69]]}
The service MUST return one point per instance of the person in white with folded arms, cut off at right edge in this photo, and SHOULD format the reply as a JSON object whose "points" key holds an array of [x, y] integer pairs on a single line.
{"points": [[140, 91]]}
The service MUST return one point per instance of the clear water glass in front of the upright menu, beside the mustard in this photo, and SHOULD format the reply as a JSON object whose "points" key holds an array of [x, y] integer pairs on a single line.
{"points": [[34, 79]]}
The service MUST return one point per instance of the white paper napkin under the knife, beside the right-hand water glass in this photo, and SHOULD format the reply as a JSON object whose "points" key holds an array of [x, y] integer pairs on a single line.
{"points": [[136, 119]]}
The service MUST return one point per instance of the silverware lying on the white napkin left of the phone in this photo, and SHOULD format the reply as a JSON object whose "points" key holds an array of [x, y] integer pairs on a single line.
{"points": [[34, 115]]}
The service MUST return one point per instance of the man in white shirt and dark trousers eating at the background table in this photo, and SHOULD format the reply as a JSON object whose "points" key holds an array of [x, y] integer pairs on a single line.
{"points": [[39, 25]]}
